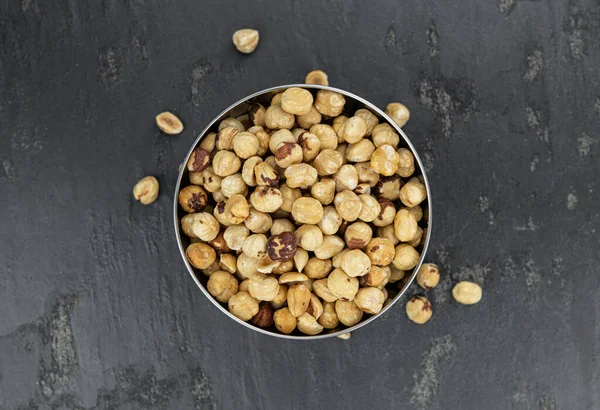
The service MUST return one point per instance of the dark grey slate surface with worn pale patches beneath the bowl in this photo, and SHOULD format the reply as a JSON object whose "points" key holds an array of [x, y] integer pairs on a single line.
{"points": [[97, 310]]}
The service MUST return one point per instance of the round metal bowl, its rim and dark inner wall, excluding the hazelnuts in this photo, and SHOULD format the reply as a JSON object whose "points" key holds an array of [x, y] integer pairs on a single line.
{"points": [[353, 103]]}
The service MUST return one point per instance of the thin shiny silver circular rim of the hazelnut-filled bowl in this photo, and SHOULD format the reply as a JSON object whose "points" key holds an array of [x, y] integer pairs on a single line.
{"points": [[371, 107]]}
